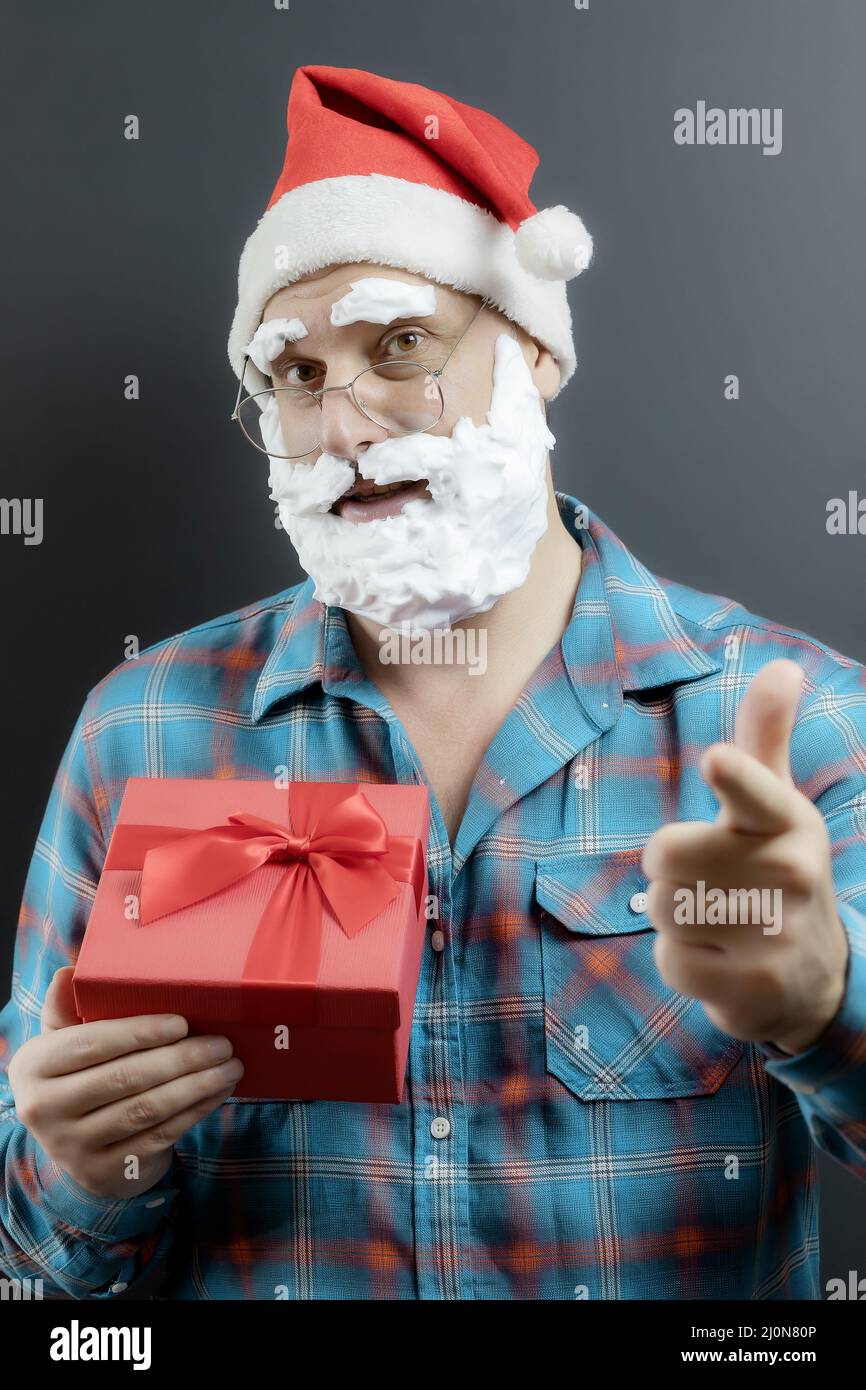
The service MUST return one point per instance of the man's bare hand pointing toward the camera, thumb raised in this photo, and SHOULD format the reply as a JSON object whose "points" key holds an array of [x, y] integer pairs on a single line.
{"points": [[781, 986]]}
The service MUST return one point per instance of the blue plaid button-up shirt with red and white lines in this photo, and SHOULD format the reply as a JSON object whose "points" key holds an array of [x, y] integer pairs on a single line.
{"points": [[572, 1128]]}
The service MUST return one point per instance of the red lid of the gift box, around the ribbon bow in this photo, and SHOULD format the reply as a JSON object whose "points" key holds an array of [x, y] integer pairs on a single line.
{"points": [[193, 961]]}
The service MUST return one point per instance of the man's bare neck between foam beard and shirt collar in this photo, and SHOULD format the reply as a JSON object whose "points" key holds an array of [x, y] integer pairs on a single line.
{"points": [[515, 636]]}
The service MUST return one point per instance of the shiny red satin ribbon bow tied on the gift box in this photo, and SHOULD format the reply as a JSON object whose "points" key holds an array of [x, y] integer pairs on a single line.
{"points": [[347, 858]]}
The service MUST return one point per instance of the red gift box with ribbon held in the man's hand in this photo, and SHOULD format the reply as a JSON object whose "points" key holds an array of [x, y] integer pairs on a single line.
{"points": [[291, 921]]}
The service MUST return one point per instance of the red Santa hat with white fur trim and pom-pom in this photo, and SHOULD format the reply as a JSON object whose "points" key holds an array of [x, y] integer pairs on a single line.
{"points": [[402, 176]]}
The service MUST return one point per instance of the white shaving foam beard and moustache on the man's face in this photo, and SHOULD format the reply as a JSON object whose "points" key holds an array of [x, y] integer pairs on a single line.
{"points": [[439, 561]]}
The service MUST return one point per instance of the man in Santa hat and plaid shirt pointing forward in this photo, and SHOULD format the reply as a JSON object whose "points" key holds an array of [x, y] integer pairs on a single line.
{"points": [[644, 989]]}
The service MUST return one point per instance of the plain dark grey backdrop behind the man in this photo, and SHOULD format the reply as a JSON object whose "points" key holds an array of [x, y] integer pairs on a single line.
{"points": [[122, 258]]}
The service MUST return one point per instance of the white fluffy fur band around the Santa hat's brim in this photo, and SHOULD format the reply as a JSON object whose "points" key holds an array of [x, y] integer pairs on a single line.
{"points": [[391, 222]]}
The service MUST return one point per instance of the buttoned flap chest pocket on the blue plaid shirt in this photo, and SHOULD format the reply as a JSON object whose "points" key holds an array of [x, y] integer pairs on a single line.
{"points": [[614, 1029]]}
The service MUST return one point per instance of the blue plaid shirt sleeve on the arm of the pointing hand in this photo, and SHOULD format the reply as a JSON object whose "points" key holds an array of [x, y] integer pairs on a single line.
{"points": [[829, 762]]}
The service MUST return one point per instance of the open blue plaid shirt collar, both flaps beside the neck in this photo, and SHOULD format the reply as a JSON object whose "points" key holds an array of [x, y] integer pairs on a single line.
{"points": [[623, 628]]}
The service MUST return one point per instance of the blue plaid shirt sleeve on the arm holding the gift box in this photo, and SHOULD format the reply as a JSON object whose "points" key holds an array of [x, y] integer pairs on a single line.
{"points": [[52, 1229]]}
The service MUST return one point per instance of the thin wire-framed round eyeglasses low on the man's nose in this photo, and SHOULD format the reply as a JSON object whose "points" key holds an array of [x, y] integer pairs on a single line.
{"points": [[402, 397]]}
